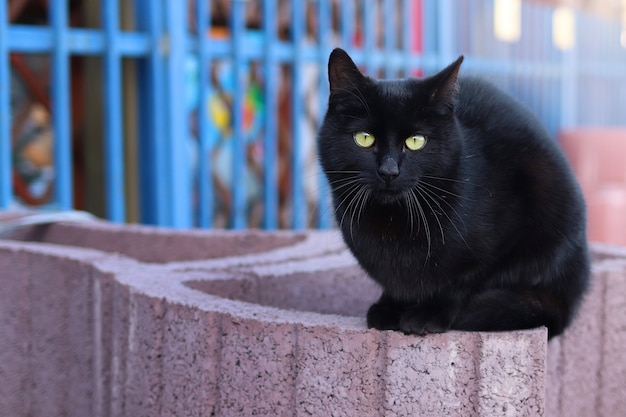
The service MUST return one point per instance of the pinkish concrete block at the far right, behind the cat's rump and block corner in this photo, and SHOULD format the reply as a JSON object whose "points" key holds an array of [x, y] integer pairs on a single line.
{"points": [[586, 373]]}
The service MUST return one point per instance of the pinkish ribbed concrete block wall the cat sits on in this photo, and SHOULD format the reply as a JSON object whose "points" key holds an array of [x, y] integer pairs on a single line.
{"points": [[166, 323]]}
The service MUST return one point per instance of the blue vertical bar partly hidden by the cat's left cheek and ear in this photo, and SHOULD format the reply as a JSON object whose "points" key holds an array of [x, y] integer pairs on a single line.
{"points": [[324, 12]]}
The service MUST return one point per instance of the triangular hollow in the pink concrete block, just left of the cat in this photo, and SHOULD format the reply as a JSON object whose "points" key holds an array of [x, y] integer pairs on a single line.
{"points": [[343, 291]]}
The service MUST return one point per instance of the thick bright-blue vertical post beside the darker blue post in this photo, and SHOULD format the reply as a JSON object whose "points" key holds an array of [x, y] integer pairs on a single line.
{"points": [[178, 166]]}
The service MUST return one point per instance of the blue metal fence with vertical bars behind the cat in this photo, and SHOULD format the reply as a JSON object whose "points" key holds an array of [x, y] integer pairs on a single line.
{"points": [[229, 165]]}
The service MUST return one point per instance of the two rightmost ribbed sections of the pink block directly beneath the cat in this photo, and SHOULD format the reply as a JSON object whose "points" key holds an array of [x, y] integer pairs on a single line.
{"points": [[461, 374]]}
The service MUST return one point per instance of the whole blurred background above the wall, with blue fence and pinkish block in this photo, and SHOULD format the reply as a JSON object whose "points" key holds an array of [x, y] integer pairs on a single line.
{"points": [[204, 113]]}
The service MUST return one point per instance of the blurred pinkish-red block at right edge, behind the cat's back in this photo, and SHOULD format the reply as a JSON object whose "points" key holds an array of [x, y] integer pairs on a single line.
{"points": [[598, 157]]}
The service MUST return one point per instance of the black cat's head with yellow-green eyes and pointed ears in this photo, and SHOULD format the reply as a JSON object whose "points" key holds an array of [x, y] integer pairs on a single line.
{"points": [[387, 135]]}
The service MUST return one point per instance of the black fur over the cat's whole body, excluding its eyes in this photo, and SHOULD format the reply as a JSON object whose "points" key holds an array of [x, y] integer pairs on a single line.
{"points": [[482, 229]]}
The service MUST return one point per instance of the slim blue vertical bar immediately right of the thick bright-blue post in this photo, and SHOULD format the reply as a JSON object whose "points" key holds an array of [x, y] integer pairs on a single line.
{"points": [[205, 181]]}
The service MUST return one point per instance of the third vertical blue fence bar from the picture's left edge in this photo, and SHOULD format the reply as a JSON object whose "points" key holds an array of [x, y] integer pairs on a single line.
{"points": [[112, 85]]}
